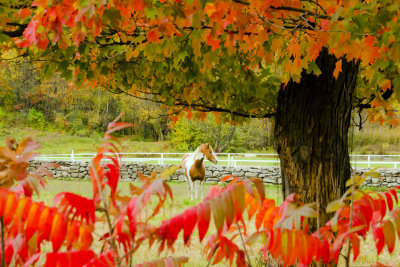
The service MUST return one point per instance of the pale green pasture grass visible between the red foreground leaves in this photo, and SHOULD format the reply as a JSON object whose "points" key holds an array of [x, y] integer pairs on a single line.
{"points": [[180, 202]]}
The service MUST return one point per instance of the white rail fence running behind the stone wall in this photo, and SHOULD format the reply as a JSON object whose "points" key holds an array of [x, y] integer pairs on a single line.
{"points": [[231, 159]]}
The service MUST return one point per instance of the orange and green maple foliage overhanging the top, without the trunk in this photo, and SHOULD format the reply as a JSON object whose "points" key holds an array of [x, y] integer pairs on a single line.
{"points": [[209, 55]]}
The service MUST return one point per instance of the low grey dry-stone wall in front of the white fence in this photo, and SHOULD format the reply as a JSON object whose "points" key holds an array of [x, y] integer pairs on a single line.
{"points": [[270, 175]]}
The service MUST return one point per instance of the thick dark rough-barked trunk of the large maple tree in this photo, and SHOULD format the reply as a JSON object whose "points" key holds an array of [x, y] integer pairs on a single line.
{"points": [[311, 130]]}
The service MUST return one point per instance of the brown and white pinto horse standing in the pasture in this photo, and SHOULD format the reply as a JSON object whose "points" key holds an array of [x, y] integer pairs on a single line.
{"points": [[194, 170]]}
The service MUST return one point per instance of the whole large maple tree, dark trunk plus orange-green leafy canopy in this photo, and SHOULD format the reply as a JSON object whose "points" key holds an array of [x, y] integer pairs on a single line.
{"points": [[231, 56]]}
